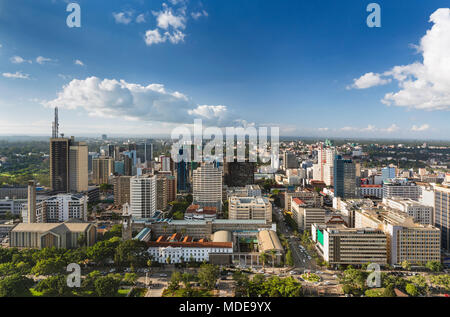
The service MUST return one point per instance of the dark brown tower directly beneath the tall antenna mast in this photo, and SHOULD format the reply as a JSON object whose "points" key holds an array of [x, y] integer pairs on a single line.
{"points": [[59, 164]]}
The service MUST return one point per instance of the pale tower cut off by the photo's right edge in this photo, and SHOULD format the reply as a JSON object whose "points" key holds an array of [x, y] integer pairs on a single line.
{"points": [[442, 213]]}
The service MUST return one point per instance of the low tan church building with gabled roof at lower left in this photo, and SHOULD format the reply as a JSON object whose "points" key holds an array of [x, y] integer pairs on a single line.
{"points": [[47, 235]]}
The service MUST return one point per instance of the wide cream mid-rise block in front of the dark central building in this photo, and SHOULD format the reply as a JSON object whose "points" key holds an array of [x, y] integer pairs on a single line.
{"points": [[242, 208]]}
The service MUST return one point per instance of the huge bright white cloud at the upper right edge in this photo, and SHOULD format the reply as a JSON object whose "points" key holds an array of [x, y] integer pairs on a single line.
{"points": [[423, 84]]}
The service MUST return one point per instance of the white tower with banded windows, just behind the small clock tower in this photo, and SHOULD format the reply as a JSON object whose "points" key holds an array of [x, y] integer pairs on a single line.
{"points": [[143, 196]]}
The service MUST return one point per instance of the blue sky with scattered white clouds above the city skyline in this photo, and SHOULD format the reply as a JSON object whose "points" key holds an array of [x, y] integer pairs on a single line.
{"points": [[145, 67]]}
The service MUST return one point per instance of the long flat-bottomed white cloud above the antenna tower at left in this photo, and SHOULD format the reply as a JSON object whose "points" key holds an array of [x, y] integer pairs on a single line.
{"points": [[119, 99]]}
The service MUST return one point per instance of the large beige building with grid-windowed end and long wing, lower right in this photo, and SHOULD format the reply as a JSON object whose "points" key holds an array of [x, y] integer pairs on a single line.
{"points": [[407, 240]]}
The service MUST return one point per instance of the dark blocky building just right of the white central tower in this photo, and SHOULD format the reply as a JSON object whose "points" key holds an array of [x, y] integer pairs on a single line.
{"points": [[239, 174]]}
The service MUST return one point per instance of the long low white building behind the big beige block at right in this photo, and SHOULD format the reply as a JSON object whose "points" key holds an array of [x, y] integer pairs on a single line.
{"points": [[421, 213]]}
